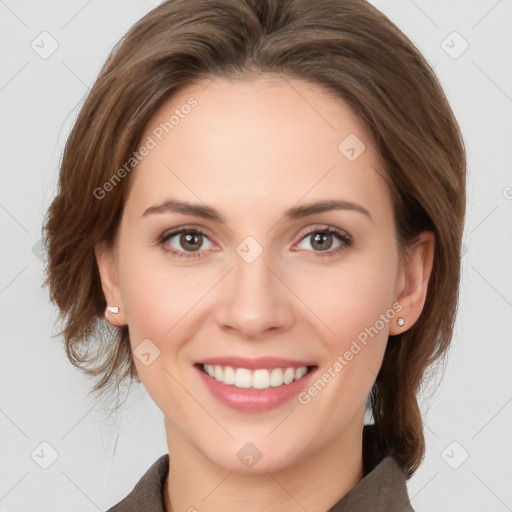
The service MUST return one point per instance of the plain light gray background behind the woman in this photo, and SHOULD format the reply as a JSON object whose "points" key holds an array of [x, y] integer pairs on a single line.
{"points": [[43, 399]]}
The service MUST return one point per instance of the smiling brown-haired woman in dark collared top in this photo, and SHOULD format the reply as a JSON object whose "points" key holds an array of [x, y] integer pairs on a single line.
{"points": [[266, 200]]}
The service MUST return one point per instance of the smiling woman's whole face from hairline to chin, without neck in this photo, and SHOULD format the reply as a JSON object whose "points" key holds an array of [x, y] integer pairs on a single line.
{"points": [[269, 285]]}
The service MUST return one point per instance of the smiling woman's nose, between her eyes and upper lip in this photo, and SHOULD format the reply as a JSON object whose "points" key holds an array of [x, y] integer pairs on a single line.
{"points": [[255, 300]]}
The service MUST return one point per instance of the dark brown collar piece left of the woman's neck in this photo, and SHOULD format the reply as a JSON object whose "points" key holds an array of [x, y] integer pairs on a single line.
{"points": [[147, 494]]}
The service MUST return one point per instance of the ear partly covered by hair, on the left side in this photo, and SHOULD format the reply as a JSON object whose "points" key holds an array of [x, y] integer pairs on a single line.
{"points": [[107, 265]]}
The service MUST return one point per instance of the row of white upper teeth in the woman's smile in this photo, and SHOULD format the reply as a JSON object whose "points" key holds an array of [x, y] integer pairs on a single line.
{"points": [[257, 379]]}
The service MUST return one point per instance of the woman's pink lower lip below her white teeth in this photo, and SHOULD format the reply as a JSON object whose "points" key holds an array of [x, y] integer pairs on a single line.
{"points": [[254, 400]]}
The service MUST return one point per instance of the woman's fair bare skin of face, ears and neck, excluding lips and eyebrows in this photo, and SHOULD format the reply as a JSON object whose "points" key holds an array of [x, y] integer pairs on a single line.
{"points": [[251, 149]]}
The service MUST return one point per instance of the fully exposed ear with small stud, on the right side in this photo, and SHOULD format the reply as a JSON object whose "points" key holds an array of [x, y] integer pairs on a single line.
{"points": [[413, 280]]}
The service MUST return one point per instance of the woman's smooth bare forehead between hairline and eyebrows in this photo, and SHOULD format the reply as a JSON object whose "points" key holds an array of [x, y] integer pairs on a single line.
{"points": [[258, 141]]}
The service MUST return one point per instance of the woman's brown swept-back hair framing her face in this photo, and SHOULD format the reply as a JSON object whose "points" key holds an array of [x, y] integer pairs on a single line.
{"points": [[346, 46]]}
